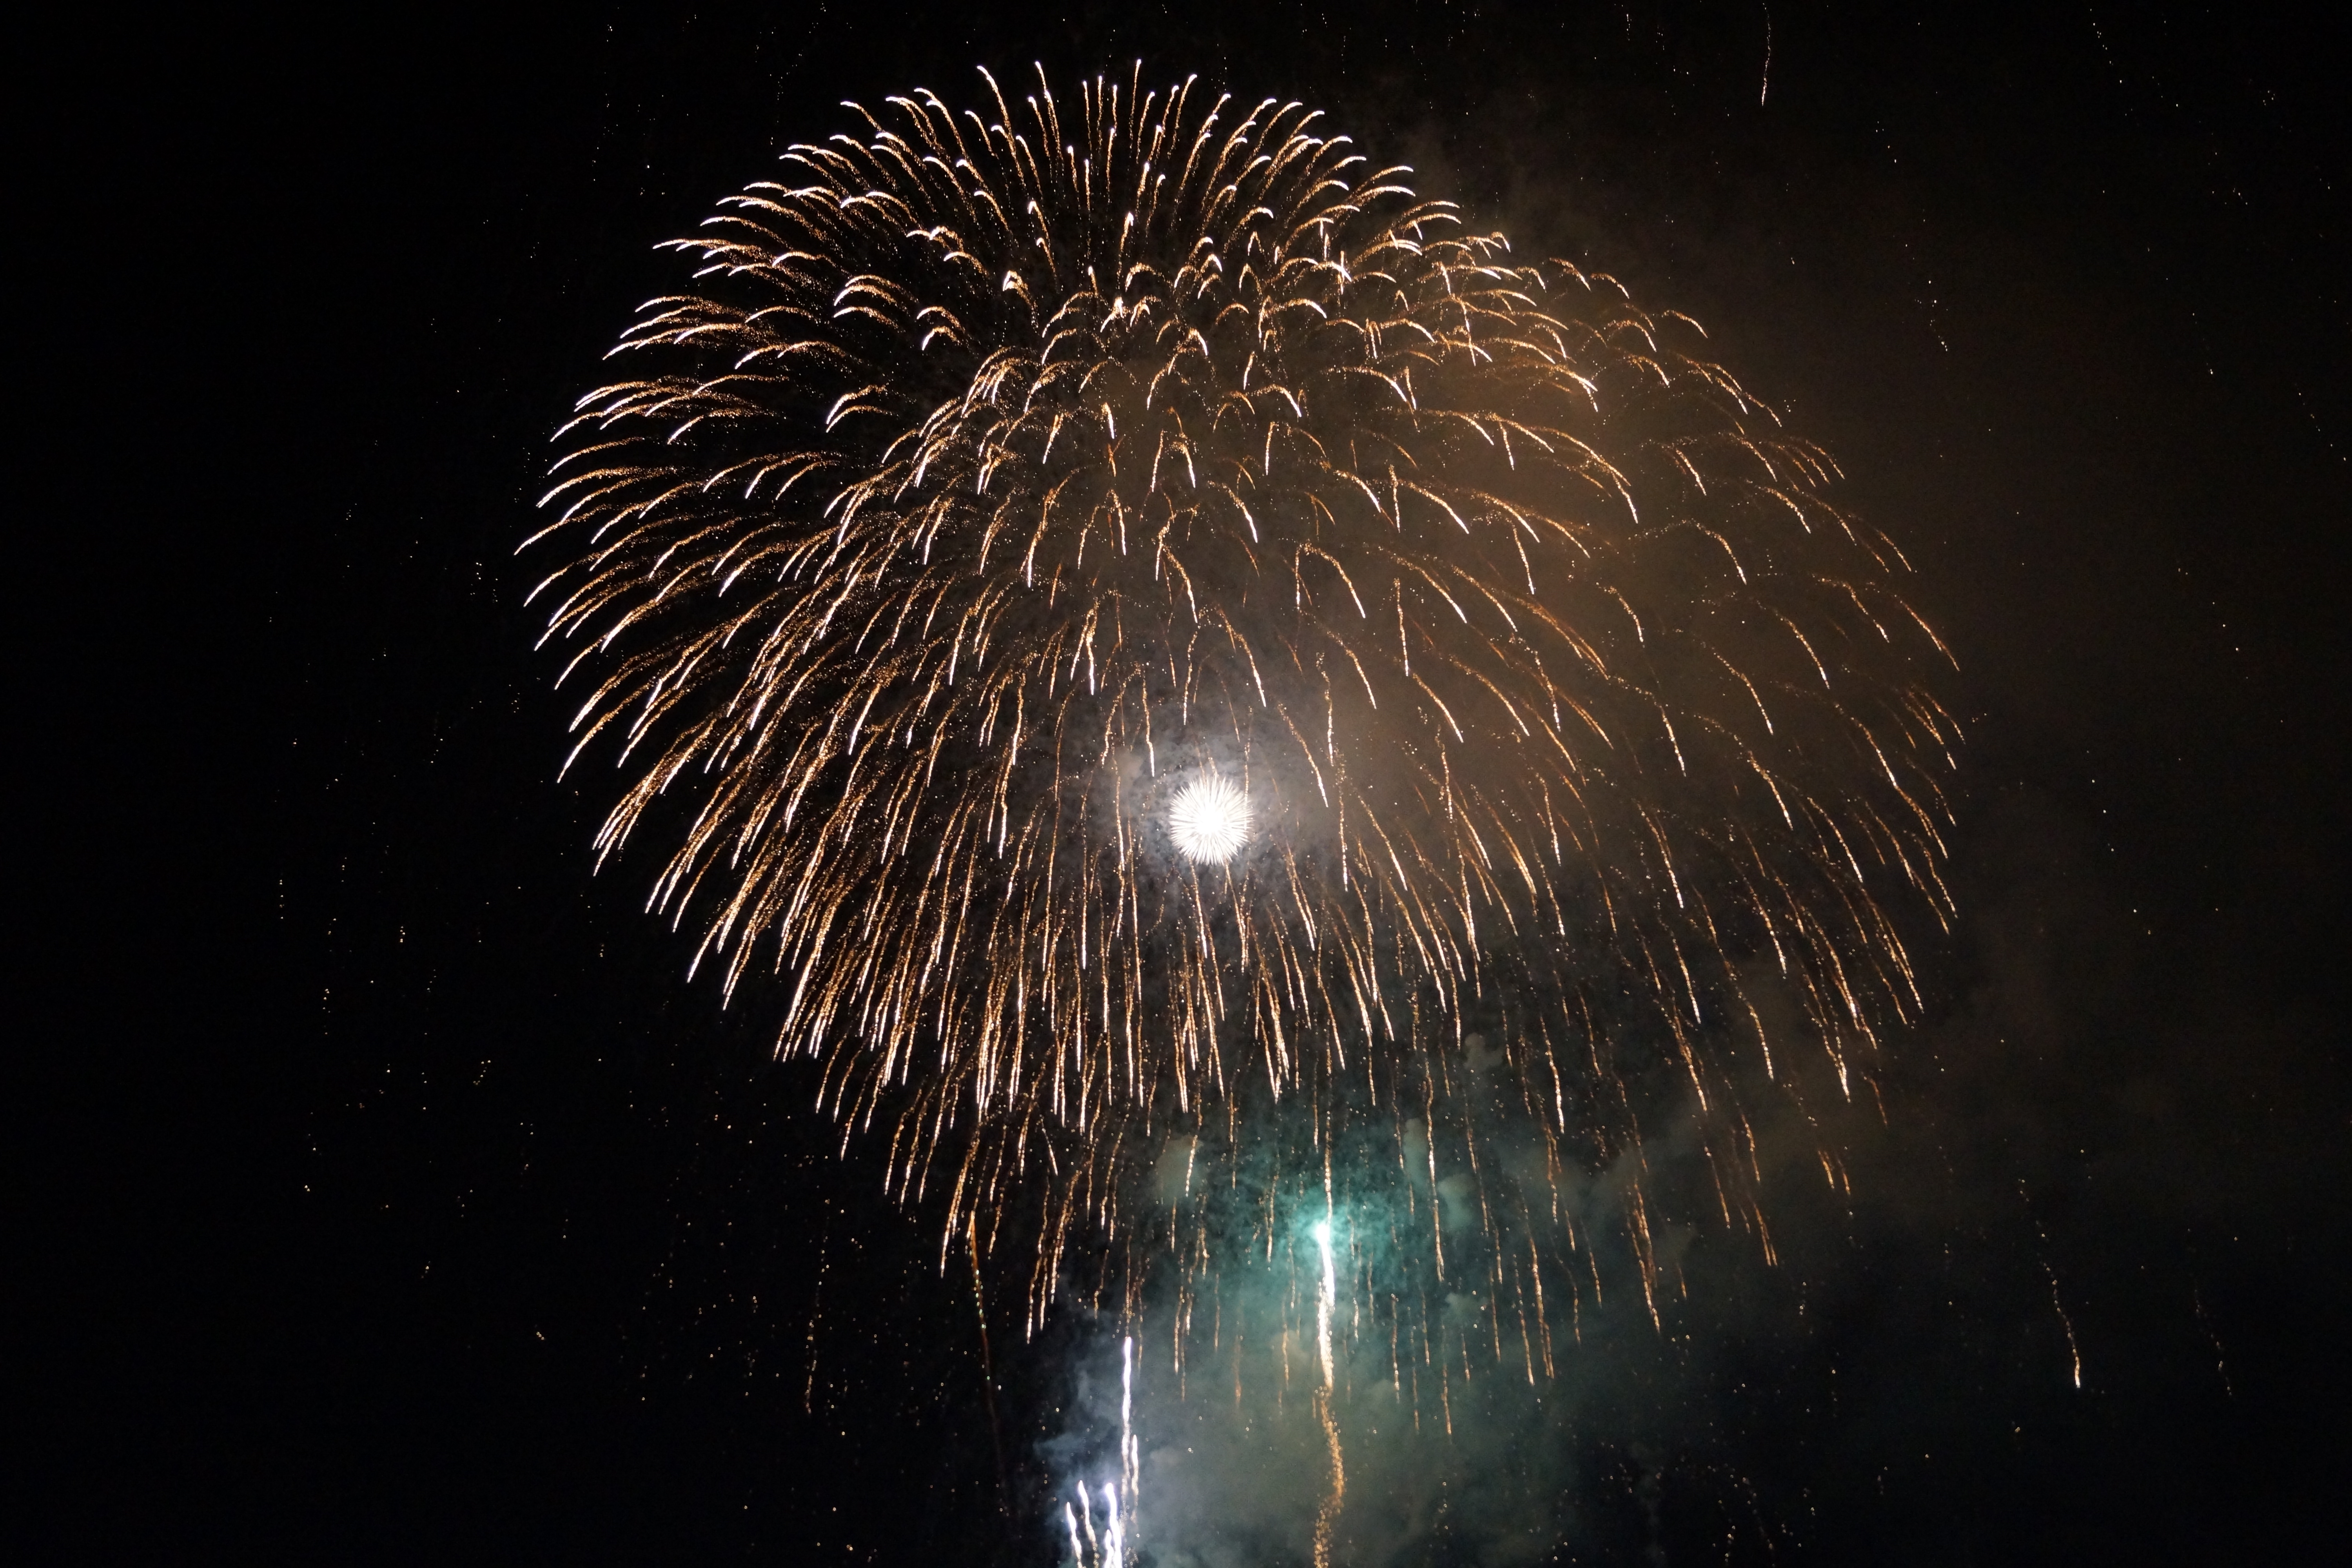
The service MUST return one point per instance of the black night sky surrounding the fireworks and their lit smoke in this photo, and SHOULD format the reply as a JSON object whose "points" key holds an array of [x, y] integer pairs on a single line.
{"points": [[382, 1193]]}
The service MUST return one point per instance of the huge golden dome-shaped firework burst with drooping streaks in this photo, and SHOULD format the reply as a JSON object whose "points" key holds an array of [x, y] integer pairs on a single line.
{"points": [[1116, 617]]}
